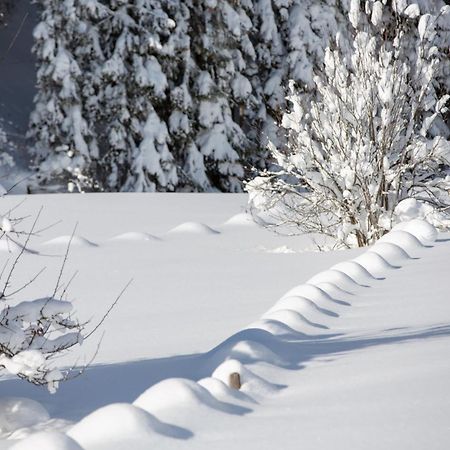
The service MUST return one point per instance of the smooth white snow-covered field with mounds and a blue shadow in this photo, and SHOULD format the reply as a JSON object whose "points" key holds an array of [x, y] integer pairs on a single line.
{"points": [[357, 358]]}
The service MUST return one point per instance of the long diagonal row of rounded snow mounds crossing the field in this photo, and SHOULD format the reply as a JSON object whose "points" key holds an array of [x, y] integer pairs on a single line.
{"points": [[277, 339]]}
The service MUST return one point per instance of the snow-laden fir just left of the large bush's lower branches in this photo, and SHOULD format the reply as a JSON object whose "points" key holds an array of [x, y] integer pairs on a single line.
{"points": [[220, 46]]}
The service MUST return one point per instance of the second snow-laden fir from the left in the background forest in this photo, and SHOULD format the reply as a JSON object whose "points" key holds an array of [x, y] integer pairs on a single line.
{"points": [[132, 85]]}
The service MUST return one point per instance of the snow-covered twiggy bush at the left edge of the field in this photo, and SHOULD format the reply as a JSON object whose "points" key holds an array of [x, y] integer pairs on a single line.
{"points": [[33, 333]]}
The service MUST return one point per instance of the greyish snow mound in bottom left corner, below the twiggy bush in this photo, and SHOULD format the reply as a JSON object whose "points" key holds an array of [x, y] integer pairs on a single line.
{"points": [[16, 413]]}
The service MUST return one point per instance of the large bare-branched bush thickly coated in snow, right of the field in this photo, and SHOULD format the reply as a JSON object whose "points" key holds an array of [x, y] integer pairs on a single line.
{"points": [[366, 143]]}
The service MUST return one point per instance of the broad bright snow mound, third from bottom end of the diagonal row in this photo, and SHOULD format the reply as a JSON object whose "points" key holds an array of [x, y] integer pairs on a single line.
{"points": [[176, 393]]}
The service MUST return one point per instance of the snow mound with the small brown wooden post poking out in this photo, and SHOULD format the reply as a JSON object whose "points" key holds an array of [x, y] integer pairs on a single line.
{"points": [[251, 384]]}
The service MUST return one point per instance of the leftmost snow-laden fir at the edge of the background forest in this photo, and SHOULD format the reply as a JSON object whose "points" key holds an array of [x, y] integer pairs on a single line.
{"points": [[66, 46]]}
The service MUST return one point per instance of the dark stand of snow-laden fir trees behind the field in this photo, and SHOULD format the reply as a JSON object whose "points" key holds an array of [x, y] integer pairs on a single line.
{"points": [[146, 95]]}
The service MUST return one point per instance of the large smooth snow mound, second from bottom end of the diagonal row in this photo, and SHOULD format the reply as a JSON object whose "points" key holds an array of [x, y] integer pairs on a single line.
{"points": [[116, 422]]}
